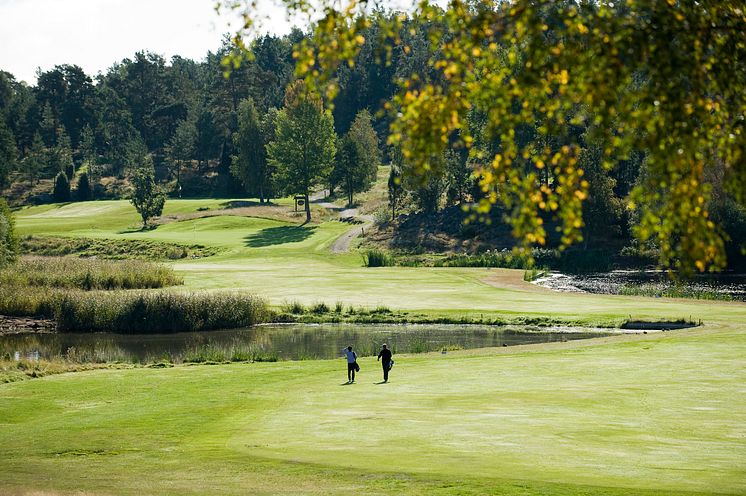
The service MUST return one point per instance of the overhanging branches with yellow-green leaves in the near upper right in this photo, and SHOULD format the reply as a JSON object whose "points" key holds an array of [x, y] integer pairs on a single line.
{"points": [[667, 78]]}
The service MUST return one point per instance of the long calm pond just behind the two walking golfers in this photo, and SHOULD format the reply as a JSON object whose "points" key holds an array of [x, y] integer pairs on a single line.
{"points": [[272, 342]]}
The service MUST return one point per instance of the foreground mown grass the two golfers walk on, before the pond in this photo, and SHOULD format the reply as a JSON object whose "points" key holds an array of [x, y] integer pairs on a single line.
{"points": [[655, 414]]}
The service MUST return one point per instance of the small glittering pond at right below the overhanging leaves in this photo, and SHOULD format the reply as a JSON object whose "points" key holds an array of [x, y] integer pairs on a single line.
{"points": [[654, 283]]}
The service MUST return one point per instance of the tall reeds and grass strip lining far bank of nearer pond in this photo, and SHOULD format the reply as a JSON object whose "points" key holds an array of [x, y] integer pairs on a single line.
{"points": [[140, 312]]}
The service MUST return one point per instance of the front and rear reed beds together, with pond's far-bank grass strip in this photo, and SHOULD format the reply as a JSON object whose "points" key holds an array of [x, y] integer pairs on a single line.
{"points": [[89, 295]]}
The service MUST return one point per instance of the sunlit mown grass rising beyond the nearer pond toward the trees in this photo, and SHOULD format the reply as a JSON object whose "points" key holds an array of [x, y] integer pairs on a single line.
{"points": [[285, 262]]}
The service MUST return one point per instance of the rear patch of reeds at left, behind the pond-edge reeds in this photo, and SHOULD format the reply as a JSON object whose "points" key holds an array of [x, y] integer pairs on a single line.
{"points": [[88, 274]]}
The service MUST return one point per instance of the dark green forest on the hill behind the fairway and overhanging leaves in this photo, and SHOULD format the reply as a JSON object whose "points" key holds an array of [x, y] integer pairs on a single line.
{"points": [[212, 132]]}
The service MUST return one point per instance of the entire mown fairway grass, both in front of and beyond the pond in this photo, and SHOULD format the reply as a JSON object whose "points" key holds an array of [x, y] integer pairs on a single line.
{"points": [[661, 413]]}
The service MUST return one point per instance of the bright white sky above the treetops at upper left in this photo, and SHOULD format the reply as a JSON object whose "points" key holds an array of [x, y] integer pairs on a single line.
{"points": [[95, 34]]}
